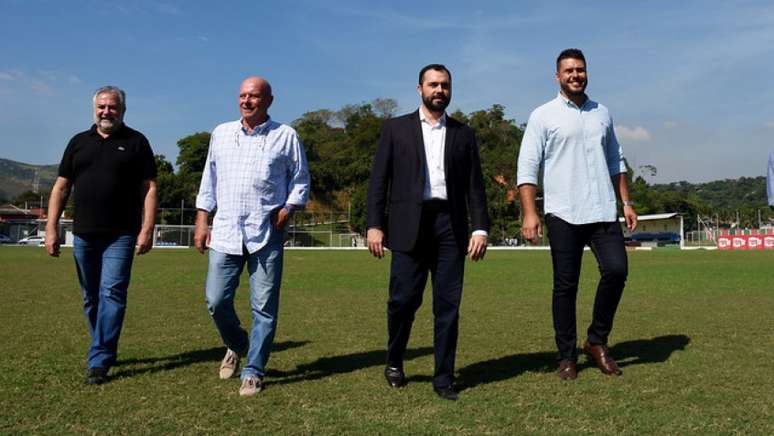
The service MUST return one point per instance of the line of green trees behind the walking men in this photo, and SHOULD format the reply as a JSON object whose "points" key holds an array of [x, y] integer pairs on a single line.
{"points": [[340, 145]]}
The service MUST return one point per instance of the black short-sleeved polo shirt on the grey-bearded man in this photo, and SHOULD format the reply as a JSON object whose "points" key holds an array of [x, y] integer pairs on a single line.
{"points": [[107, 176]]}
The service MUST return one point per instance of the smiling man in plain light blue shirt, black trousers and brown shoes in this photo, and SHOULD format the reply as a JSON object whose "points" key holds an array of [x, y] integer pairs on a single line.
{"points": [[572, 138]]}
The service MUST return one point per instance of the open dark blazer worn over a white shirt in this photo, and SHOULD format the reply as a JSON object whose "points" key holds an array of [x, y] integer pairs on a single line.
{"points": [[394, 202]]}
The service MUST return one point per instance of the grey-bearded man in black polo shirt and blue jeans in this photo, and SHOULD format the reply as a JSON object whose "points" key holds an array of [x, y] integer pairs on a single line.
{"points": [[113, 171]]}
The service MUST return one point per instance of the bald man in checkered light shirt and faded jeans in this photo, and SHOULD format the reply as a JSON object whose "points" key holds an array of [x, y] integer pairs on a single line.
{"points": [[255, 176]]}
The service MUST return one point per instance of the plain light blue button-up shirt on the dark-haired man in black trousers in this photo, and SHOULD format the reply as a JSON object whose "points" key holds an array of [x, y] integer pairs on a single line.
{"points": [[578, 152]]}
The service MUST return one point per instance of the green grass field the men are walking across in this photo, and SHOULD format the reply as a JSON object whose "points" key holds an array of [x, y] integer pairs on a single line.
{"points": [[693, 335]]}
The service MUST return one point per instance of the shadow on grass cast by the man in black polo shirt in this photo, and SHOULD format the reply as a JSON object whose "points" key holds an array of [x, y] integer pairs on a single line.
{"points": [[167, 363]]}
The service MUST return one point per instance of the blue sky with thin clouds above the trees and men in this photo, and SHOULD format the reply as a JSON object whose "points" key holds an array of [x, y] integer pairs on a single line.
{"points": [[689, 84]]}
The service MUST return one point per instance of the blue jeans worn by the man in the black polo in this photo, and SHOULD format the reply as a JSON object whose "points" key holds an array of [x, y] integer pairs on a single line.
{"points": [[104, 264]]}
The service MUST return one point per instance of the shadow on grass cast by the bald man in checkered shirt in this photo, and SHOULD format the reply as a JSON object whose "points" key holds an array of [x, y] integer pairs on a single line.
{"points": [[345, 363]]}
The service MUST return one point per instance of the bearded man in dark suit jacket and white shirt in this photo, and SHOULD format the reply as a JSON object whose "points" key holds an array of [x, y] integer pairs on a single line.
{"points": [[426, 179]]}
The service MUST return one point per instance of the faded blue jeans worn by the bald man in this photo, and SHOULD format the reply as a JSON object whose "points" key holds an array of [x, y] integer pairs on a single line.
{"points": [[265, 270]]}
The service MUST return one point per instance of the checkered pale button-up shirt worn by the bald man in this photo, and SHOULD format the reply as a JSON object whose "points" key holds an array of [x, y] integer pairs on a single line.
{"points": [[248, 177]]}
